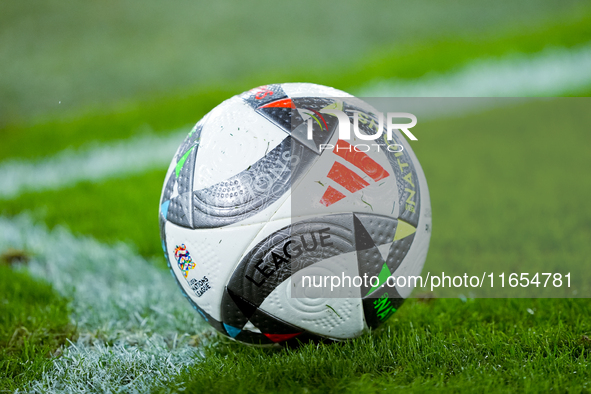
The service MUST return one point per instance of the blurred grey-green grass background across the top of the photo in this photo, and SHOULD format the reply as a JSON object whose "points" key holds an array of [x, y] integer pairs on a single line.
{"points": [[63, 56]]}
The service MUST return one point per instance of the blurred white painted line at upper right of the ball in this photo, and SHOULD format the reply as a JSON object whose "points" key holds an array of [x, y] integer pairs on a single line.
{"points": [[554, 71]]}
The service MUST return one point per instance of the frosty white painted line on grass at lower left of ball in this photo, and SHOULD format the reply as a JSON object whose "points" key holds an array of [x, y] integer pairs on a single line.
{"points": [[117, 297]]}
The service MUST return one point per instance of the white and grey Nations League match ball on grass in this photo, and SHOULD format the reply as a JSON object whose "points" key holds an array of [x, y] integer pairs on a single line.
{"points": [[266, 206]]}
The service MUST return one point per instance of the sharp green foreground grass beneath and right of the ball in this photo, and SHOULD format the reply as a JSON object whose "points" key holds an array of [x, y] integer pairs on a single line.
{"points": [[444, 345]]}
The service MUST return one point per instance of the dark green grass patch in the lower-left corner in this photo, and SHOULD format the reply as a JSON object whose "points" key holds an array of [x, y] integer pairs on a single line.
{"points": [[34, 324]]}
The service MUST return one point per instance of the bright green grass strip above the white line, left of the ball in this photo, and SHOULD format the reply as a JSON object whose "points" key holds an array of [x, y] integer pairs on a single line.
{"points": [[26, 141]]}
